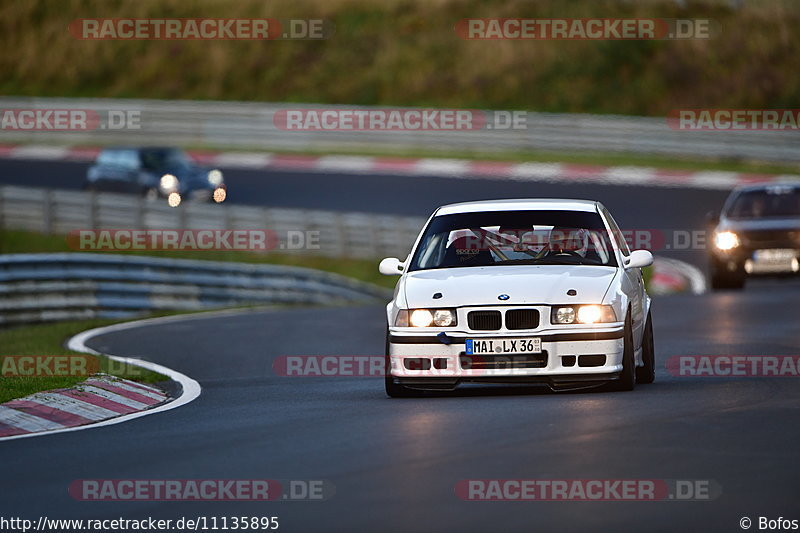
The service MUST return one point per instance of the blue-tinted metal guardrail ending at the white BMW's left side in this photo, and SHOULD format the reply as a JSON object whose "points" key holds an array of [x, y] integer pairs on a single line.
{"points": [[48, 287]]}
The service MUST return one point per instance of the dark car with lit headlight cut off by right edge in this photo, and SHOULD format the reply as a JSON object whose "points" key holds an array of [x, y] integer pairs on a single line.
{"points": [[758, 232]]}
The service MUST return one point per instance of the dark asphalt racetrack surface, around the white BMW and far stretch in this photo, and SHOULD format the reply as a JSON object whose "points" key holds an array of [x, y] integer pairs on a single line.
{"points": [[395, 462]]}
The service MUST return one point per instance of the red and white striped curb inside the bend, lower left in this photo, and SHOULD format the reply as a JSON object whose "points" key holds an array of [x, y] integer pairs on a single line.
{"points": [[100, 397]]}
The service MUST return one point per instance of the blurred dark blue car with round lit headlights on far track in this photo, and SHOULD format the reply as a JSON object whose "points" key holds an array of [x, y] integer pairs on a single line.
{"points": [[155, 172]]}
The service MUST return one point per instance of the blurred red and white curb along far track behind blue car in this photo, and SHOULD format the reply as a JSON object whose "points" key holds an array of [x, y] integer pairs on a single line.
{"points": [[450, 168]]}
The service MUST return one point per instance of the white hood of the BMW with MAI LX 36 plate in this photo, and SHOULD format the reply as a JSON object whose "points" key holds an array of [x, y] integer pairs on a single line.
{"points": [[529, 284]]}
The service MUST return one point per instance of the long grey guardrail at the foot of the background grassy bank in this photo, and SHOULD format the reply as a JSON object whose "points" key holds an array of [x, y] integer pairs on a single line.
{"points": [[251, 126]]}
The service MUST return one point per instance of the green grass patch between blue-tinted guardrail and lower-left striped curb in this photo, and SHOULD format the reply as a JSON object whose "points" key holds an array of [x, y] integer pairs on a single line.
{"points": [[48, 340]]}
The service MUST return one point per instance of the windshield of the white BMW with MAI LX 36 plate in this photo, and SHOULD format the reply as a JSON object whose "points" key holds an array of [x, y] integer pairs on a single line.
{"points": [[514, 238]]}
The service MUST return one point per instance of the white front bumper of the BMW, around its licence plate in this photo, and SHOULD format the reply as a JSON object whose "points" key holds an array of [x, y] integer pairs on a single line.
{"points": [[567, 356]]}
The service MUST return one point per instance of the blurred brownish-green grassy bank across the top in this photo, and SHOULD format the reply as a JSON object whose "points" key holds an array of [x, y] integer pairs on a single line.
{"points": [[406, 52]]}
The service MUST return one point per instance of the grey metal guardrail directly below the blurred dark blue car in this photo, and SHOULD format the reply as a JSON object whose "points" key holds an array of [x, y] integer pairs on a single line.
{"points": [[354, 235]]}
